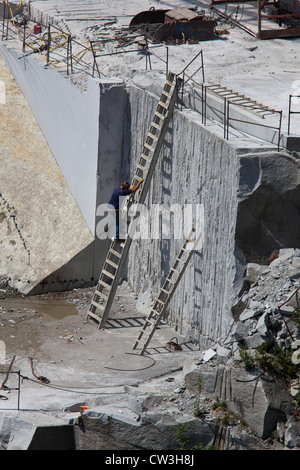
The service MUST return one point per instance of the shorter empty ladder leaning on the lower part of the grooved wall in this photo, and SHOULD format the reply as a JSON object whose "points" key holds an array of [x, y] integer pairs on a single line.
{"points": [[166, 293]]}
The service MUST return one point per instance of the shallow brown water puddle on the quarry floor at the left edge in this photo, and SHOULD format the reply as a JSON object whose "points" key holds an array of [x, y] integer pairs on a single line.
{"points": [[50, 309]]}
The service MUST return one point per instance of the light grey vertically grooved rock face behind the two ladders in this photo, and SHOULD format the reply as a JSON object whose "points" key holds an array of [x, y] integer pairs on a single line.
{"points": [[195, 167]]}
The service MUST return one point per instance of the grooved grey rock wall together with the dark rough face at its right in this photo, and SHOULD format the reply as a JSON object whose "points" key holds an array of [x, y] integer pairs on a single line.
{"points": [[251, 207]]}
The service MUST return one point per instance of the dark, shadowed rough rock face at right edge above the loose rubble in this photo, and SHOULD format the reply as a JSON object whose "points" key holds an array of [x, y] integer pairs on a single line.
{"points": [[269, 211]]}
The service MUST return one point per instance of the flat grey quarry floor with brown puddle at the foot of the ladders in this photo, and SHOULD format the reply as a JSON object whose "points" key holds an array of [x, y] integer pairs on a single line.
{"points": [[50, 337]]}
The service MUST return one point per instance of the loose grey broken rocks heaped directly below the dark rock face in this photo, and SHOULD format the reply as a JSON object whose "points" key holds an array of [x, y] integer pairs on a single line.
{"points": [[267, 310]]}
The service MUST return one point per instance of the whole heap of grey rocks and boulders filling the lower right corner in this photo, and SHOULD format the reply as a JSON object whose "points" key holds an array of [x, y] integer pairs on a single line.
{"points": [[219, 403]]}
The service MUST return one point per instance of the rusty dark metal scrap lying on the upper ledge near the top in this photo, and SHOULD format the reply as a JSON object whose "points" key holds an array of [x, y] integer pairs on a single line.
{"points": [[179, 25]]}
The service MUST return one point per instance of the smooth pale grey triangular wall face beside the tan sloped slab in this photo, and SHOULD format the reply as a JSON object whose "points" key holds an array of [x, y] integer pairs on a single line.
{"points": [[69, 121]]}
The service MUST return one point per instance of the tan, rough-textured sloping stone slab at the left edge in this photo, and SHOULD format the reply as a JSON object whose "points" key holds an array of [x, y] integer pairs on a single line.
{"points": [[41, 226]]}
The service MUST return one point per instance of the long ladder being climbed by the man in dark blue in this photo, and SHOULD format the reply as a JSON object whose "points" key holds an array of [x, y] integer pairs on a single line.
{"points": [[118, 251]]}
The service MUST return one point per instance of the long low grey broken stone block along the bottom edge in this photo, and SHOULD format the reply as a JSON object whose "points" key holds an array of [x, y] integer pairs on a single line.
{"points": [[155, 431]]}
